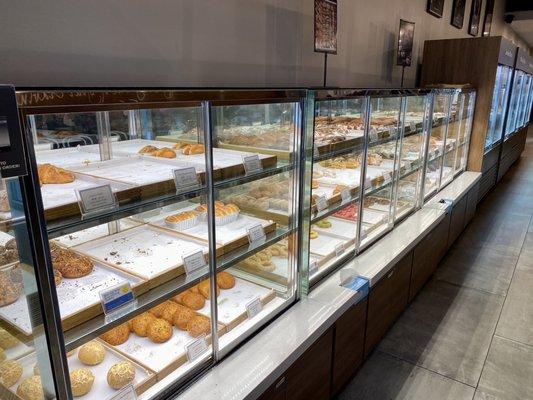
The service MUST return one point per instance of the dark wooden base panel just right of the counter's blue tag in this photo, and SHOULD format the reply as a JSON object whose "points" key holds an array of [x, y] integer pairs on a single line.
{"points": [[387, 300]]}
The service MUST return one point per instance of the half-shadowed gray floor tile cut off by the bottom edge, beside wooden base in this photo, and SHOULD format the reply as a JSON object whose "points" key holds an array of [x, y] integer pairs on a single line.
{"points": [[385, 377]]}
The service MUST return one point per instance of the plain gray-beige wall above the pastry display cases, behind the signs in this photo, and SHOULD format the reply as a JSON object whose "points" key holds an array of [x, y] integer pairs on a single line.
{"points": [[210, 42]]}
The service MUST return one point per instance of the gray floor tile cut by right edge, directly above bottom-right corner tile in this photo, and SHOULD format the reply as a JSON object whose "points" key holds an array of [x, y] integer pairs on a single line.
{"points": [[516, 321]]}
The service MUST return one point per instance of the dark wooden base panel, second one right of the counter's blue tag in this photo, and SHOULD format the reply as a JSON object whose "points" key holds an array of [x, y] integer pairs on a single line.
{"points": [[427, 255]]}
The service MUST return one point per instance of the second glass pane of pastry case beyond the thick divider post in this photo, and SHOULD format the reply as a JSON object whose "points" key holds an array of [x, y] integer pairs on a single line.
{"points": [[381, 165]]}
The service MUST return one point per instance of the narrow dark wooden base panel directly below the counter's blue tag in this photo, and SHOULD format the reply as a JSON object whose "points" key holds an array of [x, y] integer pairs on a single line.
{"points": [[348, 346]]}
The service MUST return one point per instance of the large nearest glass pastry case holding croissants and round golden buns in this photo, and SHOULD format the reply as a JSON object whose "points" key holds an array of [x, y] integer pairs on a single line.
{"points": [[182, 207]]}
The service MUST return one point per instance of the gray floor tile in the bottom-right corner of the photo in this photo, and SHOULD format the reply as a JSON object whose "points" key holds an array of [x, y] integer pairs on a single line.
{"points": [[507, 372]]}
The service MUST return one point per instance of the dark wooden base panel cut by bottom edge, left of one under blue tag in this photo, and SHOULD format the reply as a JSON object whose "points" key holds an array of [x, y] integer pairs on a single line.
{"points": [[309, 376]]}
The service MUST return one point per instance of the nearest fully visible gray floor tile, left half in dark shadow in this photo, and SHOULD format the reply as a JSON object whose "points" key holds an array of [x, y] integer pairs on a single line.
{"points": [[447, 329]]}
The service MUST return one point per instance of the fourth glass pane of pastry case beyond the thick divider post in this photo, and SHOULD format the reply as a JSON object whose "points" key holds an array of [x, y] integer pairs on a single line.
{"points": [[436, 141]]}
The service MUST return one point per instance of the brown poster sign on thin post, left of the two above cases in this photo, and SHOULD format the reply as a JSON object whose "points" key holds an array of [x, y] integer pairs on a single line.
{"points": [[326, 26]]}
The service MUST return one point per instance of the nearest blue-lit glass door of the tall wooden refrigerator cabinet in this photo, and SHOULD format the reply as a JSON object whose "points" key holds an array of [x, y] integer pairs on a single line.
{"points": [[500, 101]]}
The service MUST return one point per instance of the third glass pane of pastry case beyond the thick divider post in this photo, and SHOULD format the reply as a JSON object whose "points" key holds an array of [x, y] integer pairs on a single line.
{"points": [[416, 111]]}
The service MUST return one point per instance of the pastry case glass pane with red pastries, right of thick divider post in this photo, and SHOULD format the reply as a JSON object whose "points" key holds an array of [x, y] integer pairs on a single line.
{"points": [[339, 126]]}
